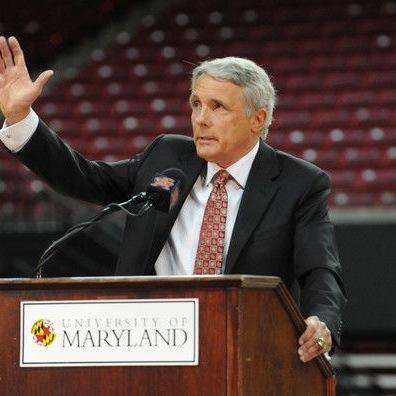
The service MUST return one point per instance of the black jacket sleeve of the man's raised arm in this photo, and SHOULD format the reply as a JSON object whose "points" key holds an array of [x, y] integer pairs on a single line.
{"points": [[69, 173]]}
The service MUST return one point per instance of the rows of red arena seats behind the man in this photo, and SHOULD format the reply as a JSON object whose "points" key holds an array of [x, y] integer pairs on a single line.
{"points": [[333, 66]]}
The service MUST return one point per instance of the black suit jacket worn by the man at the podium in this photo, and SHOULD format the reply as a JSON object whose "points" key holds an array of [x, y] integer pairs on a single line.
{"points": [[282, 228]]}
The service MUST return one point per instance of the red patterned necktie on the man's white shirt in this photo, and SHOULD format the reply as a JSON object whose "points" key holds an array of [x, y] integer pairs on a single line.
{"points": [[211, 237]]}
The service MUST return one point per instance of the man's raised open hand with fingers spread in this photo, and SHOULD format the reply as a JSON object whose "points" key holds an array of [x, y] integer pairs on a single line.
{"points": [[17, 90]]}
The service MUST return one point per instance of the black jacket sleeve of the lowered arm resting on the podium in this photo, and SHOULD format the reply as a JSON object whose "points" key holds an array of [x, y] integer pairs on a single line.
{"points": [[316, 259]]}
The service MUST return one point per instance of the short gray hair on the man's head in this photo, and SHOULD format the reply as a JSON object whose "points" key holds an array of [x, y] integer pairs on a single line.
{"points": [[256, 85]]}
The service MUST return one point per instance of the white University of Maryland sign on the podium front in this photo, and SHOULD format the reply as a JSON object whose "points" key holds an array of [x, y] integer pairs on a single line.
{"points": [[109, 333]]}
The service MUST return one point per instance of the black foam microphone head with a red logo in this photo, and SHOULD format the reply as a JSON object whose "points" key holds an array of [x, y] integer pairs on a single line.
{"points": [[165, 188]]}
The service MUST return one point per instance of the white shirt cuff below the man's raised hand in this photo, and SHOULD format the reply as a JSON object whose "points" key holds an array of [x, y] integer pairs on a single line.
{"points": [[15, 136]]}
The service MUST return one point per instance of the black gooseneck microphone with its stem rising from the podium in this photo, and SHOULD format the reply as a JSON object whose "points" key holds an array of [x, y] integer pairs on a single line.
{"points": [[162, 193]]}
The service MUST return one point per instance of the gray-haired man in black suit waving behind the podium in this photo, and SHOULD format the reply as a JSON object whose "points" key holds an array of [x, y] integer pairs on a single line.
{"points": [[272, 214]]}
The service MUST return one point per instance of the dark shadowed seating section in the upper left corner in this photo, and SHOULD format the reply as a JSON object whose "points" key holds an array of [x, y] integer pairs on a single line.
{"points": [[54, 27]]}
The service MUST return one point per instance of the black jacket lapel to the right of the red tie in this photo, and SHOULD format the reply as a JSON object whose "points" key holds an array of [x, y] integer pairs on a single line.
{"points": [[259, 191]]}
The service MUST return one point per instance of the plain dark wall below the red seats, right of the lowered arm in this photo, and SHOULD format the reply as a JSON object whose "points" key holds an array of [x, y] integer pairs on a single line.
{"points": [[369, 265]]}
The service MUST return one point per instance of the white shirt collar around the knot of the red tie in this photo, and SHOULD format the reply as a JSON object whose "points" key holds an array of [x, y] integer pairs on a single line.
{"points": [[238, 170]]}
